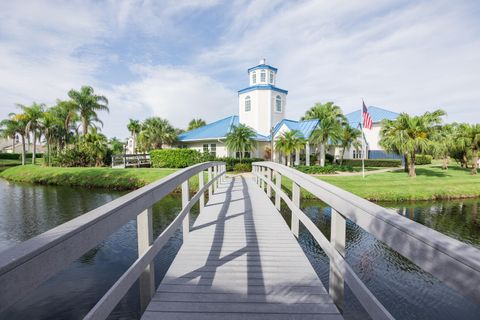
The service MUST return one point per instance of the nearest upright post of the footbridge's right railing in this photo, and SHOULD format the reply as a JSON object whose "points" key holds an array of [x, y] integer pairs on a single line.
{"points": [[337, 239]]}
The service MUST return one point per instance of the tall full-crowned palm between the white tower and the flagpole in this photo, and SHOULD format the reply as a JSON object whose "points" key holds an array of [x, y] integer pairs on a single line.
{"points": [[329, 128]]}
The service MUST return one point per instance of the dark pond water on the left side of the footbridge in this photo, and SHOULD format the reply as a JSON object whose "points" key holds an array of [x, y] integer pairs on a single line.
{"points": [[29, 210]]}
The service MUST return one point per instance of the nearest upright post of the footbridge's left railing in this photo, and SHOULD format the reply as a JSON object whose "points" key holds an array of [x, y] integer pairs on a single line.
{"points": [[145, 240]]}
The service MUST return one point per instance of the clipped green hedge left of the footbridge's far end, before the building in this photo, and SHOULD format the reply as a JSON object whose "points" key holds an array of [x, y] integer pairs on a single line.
{"points": [[176, 158]]}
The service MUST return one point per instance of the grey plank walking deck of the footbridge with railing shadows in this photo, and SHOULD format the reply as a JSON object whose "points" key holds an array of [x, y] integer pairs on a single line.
{"points": [[240, 261]]}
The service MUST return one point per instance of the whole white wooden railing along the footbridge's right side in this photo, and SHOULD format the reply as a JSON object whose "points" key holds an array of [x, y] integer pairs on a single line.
{"points": [[453, 262]]}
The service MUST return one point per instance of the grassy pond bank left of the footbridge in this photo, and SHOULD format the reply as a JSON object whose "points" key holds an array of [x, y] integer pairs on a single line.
{"points": [[114, 179]]}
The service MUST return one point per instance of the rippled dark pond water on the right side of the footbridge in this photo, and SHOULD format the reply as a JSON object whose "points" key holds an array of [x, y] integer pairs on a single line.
{"points": [[402, 287]]}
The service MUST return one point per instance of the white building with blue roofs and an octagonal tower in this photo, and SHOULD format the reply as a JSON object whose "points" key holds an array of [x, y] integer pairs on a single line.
{"points": [[262, 107]]}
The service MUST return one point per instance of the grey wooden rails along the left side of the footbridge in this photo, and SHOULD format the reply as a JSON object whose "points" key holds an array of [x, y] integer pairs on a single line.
{"points": [[30, 263]]}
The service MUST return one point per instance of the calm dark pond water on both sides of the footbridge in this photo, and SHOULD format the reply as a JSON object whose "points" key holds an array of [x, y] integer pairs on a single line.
{"points": [[406, 291]]}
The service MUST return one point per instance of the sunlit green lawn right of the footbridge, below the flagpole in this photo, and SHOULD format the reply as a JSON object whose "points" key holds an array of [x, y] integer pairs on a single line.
{"points": [[431, 183]]}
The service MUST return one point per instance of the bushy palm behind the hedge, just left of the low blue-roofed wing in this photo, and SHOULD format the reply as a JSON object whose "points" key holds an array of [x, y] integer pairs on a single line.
{"points": [[155, 133]]}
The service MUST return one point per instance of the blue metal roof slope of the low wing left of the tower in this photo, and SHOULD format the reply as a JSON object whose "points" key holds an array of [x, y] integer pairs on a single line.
{"points": [[215, 130]]}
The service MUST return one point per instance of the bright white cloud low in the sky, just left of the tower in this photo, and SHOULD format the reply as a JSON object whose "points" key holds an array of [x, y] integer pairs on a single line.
{"points": [[175, 94]]}
